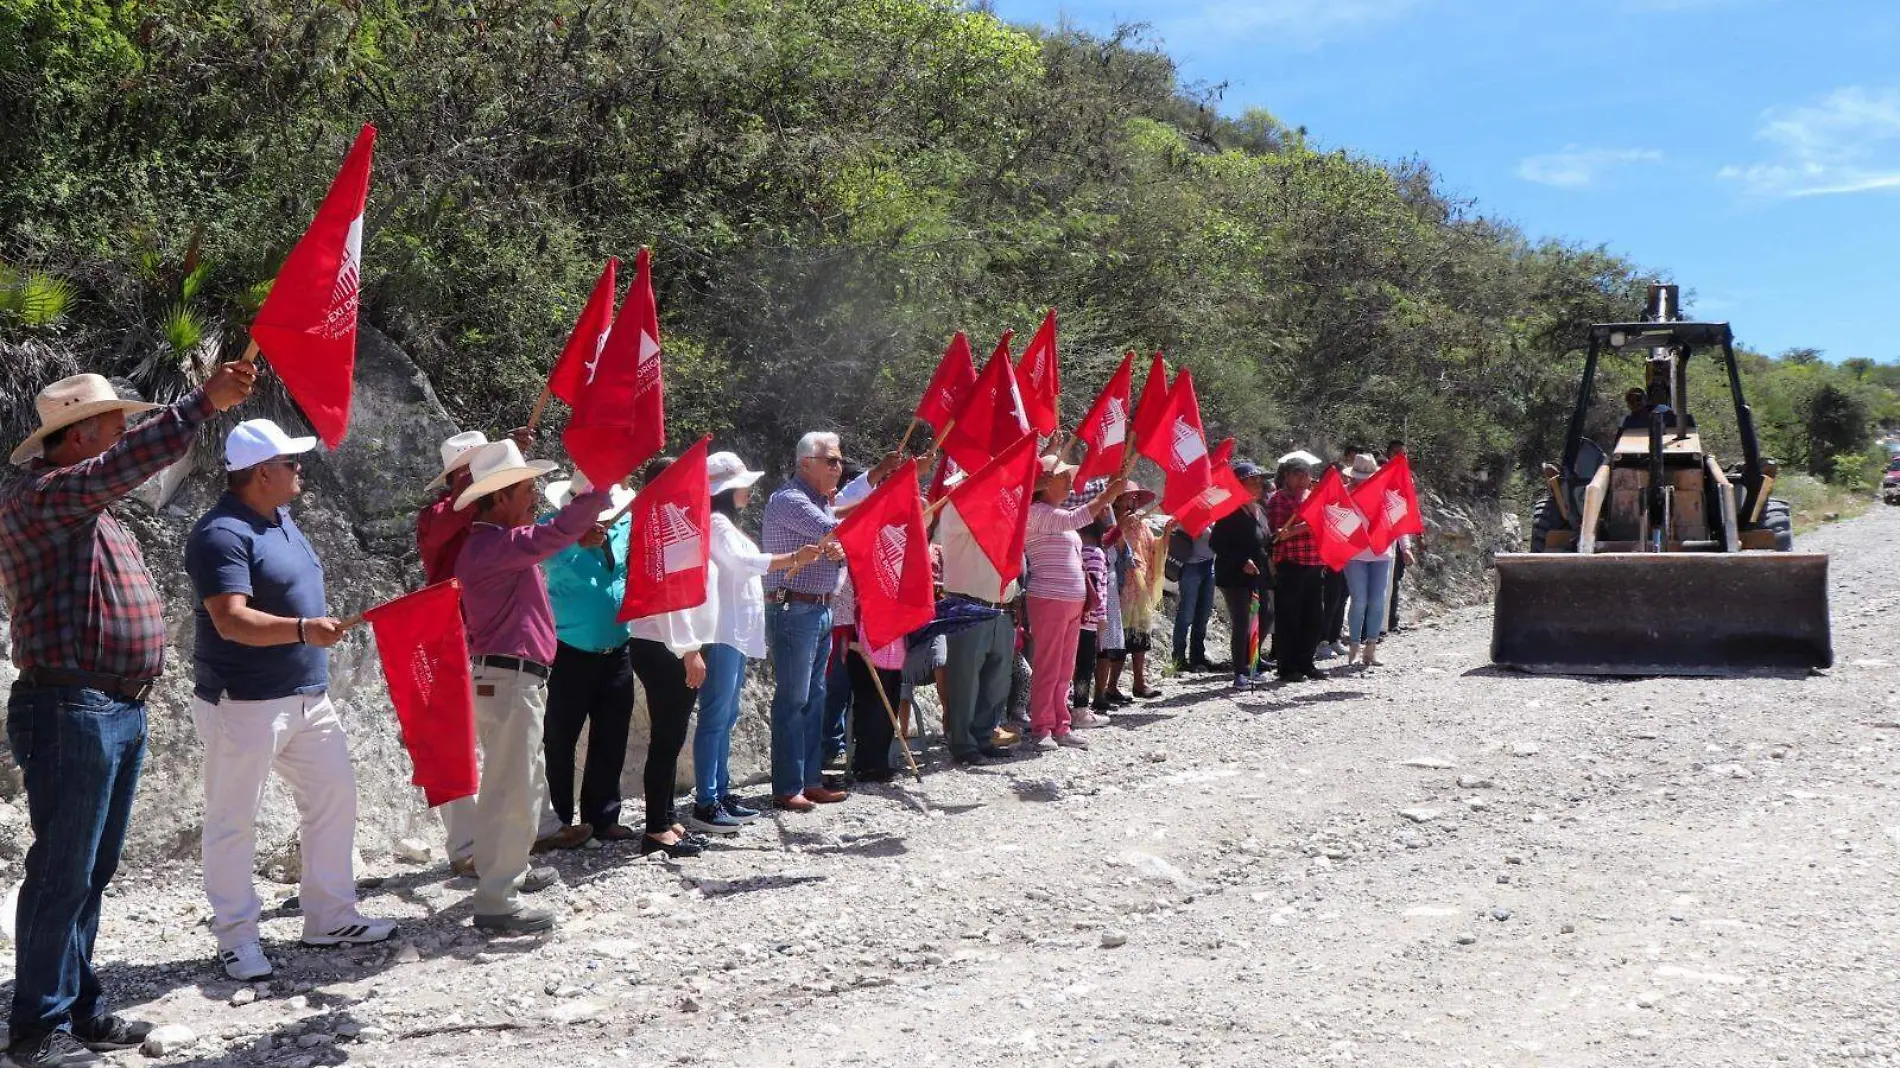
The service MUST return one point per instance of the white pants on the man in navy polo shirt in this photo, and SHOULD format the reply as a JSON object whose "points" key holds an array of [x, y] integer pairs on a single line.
{"points": [[305, 742]]}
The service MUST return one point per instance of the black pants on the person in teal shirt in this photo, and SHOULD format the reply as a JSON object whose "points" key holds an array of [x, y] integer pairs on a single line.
{"points": [[588, 691]]}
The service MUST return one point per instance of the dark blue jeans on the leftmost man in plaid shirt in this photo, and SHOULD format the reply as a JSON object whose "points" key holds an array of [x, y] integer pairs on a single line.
{"points": [[81, 753]]}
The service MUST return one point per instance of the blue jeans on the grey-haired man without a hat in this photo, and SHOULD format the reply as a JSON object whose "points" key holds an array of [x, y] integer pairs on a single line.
{"points": [[799, 638]]}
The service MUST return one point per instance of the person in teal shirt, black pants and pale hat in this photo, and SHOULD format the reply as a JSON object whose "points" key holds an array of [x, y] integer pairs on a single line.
{"points": [[592, 679]]}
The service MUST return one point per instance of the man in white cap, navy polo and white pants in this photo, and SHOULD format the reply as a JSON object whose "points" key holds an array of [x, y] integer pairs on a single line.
{"points": [[261, 702]]}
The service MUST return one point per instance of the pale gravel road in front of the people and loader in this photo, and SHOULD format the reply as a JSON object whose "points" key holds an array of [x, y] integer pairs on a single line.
{"points": [[1428, 864]]}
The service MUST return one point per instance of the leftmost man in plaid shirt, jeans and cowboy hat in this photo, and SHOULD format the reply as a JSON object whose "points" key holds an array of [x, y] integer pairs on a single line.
{"points": [[88, 639]]}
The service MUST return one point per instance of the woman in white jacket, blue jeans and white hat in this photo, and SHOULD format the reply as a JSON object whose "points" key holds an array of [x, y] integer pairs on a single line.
{"points": [[738, 601]]}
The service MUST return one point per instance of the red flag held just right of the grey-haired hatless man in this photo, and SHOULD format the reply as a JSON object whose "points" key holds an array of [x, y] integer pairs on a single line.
{"points": [[890, 560]]}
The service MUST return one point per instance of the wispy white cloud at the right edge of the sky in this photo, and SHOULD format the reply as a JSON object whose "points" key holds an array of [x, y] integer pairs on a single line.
{"points": [[1846, 143]]}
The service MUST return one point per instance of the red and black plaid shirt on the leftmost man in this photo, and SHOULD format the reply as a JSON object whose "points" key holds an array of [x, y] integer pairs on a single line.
{"points": [[73, 577]]}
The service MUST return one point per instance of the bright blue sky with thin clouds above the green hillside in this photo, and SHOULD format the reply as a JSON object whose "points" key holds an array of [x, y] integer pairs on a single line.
{"points": [[1747, 149]]}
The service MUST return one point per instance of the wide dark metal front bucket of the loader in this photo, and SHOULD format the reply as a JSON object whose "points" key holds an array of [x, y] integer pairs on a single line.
{"points": [[1662, 613]]}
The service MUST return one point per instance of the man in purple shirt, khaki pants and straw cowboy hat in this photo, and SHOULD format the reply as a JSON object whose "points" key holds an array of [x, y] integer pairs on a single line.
{"points": [[512, 645]]}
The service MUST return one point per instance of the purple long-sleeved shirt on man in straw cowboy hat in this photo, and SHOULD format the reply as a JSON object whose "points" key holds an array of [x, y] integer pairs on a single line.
{"points": [[504, 596]]}
